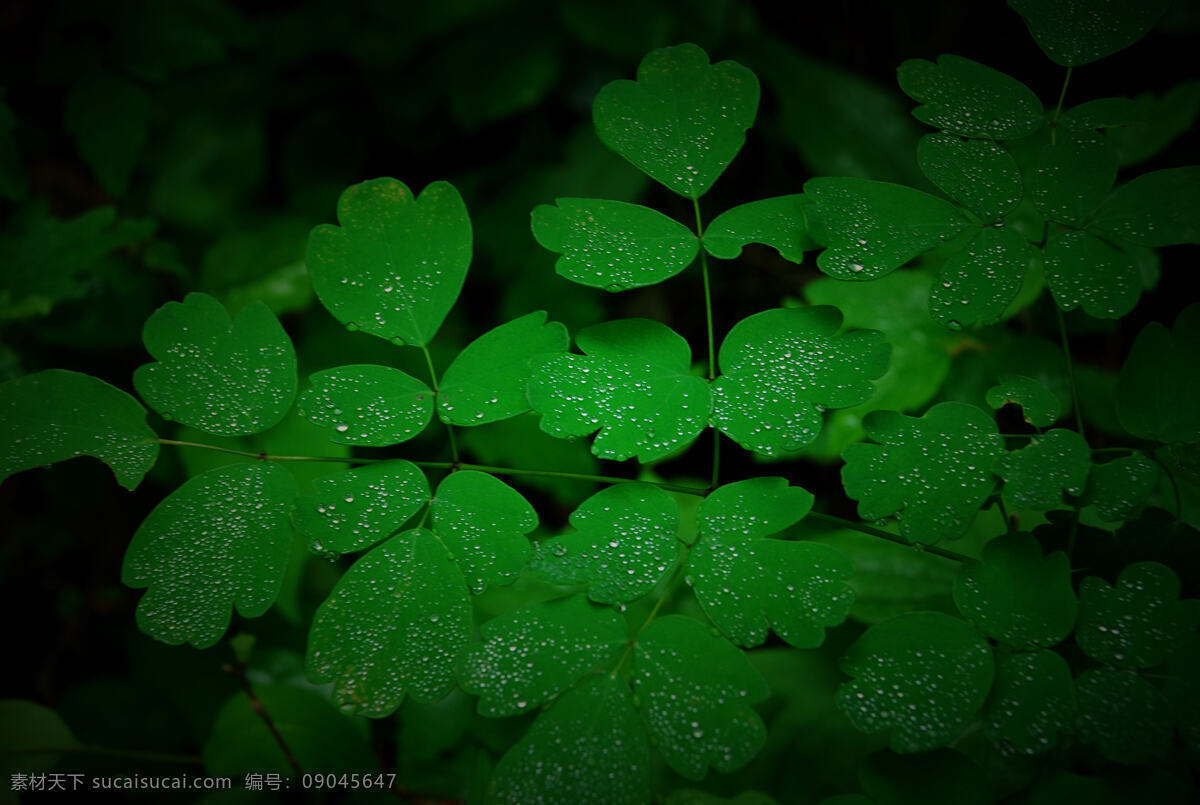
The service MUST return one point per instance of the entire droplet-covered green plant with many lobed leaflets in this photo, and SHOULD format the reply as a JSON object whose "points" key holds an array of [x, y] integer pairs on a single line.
{"points": [[627, 647]]}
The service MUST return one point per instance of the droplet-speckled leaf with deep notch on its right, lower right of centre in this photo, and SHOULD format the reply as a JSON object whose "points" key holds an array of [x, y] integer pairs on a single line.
{"points": [[748, 584]]}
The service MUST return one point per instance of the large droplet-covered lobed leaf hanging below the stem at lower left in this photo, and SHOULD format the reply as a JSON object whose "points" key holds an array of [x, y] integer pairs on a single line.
{"points": [[220, 540]]}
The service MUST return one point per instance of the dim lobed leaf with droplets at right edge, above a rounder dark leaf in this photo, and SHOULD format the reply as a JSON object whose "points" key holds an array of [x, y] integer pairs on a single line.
{"points": [[1139, 622]]}
